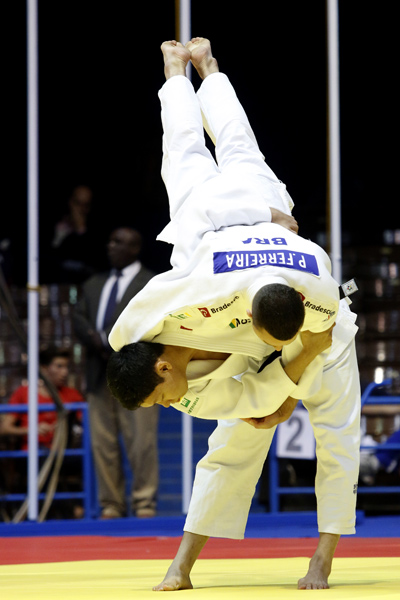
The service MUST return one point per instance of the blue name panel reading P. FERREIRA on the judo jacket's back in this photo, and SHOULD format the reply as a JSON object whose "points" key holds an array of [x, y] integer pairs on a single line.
{"points": [[225, 262]]}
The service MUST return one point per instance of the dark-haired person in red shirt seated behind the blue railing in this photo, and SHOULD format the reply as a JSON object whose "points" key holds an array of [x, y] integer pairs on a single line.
{"points": [[54, 363]]}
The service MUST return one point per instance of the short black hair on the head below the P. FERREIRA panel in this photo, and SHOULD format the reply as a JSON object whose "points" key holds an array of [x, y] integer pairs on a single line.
{"points": [[279, 310]]}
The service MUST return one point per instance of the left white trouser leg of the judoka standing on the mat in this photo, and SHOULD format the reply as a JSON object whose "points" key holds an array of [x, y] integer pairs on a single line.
{"points": [[226, 479]]}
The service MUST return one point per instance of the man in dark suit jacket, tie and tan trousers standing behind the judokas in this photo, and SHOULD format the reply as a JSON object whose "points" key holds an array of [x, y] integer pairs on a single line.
{"points": [[104, 296]]}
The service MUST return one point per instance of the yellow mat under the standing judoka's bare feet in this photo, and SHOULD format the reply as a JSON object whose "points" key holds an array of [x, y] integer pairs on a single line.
{"points": [[238, 579]]}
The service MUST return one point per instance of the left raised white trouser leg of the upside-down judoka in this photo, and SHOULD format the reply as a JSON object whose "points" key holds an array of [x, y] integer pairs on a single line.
{"points": [[186, 160]]}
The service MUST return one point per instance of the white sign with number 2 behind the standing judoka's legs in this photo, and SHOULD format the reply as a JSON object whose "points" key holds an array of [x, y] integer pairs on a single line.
{"points": [[295, 437]]}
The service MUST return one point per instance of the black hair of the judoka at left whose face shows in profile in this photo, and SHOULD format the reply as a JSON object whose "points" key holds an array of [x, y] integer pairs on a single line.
{"points": [[131, 376]]}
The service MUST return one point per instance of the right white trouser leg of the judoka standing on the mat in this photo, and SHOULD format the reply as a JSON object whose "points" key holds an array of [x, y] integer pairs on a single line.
{"points": [[335, 416]]}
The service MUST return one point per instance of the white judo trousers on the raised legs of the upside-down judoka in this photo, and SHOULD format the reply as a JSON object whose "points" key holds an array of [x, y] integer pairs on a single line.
{"points": [[242, 182]]}
